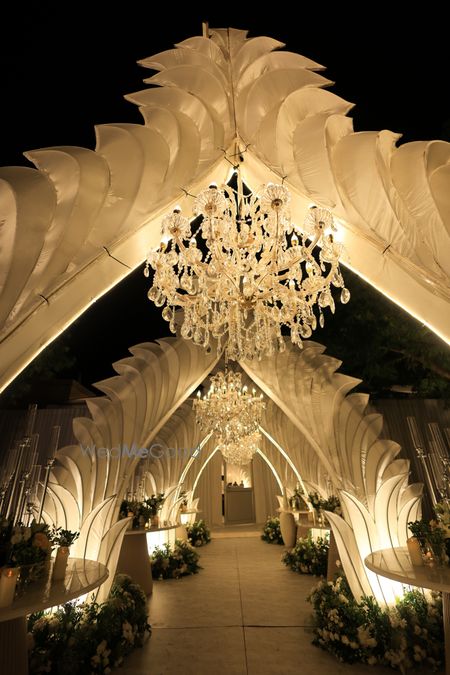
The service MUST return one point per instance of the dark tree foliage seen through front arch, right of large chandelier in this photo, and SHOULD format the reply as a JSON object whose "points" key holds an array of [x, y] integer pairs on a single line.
{"points": [[382, 345]]}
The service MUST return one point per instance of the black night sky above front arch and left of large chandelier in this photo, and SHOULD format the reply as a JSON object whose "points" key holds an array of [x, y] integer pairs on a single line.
{"points": [[65, 68]]}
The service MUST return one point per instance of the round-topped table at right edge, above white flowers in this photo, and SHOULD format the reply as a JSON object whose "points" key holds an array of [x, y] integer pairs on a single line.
{"points": [[395, 564]]}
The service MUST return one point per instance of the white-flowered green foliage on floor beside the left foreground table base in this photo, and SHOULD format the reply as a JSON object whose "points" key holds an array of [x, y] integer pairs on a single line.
{"points": [[91, 637]]}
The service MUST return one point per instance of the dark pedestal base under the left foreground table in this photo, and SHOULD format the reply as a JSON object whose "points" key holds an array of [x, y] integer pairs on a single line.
{"points": [[13, 647]]}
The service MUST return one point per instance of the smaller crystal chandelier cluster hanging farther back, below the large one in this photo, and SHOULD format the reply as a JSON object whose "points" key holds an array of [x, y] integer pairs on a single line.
{"points": [[232, 414]]}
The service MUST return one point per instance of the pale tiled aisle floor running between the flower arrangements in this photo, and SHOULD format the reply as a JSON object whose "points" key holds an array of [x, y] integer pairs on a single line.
{"points": [[244, 614]]}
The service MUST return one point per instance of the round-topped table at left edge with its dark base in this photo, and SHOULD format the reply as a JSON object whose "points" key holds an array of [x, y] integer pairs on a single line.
{"points": [[81, 577]]}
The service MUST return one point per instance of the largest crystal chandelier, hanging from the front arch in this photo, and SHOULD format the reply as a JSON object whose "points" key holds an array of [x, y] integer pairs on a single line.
{"points": [[241, 270]]}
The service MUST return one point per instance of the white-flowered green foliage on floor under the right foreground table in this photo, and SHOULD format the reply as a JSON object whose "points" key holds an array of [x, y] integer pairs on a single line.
{"points": [[407, 635]]}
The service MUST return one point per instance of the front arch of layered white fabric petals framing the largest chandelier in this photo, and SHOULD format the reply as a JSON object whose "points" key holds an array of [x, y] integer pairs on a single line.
{"points": [[63, 221]]}
